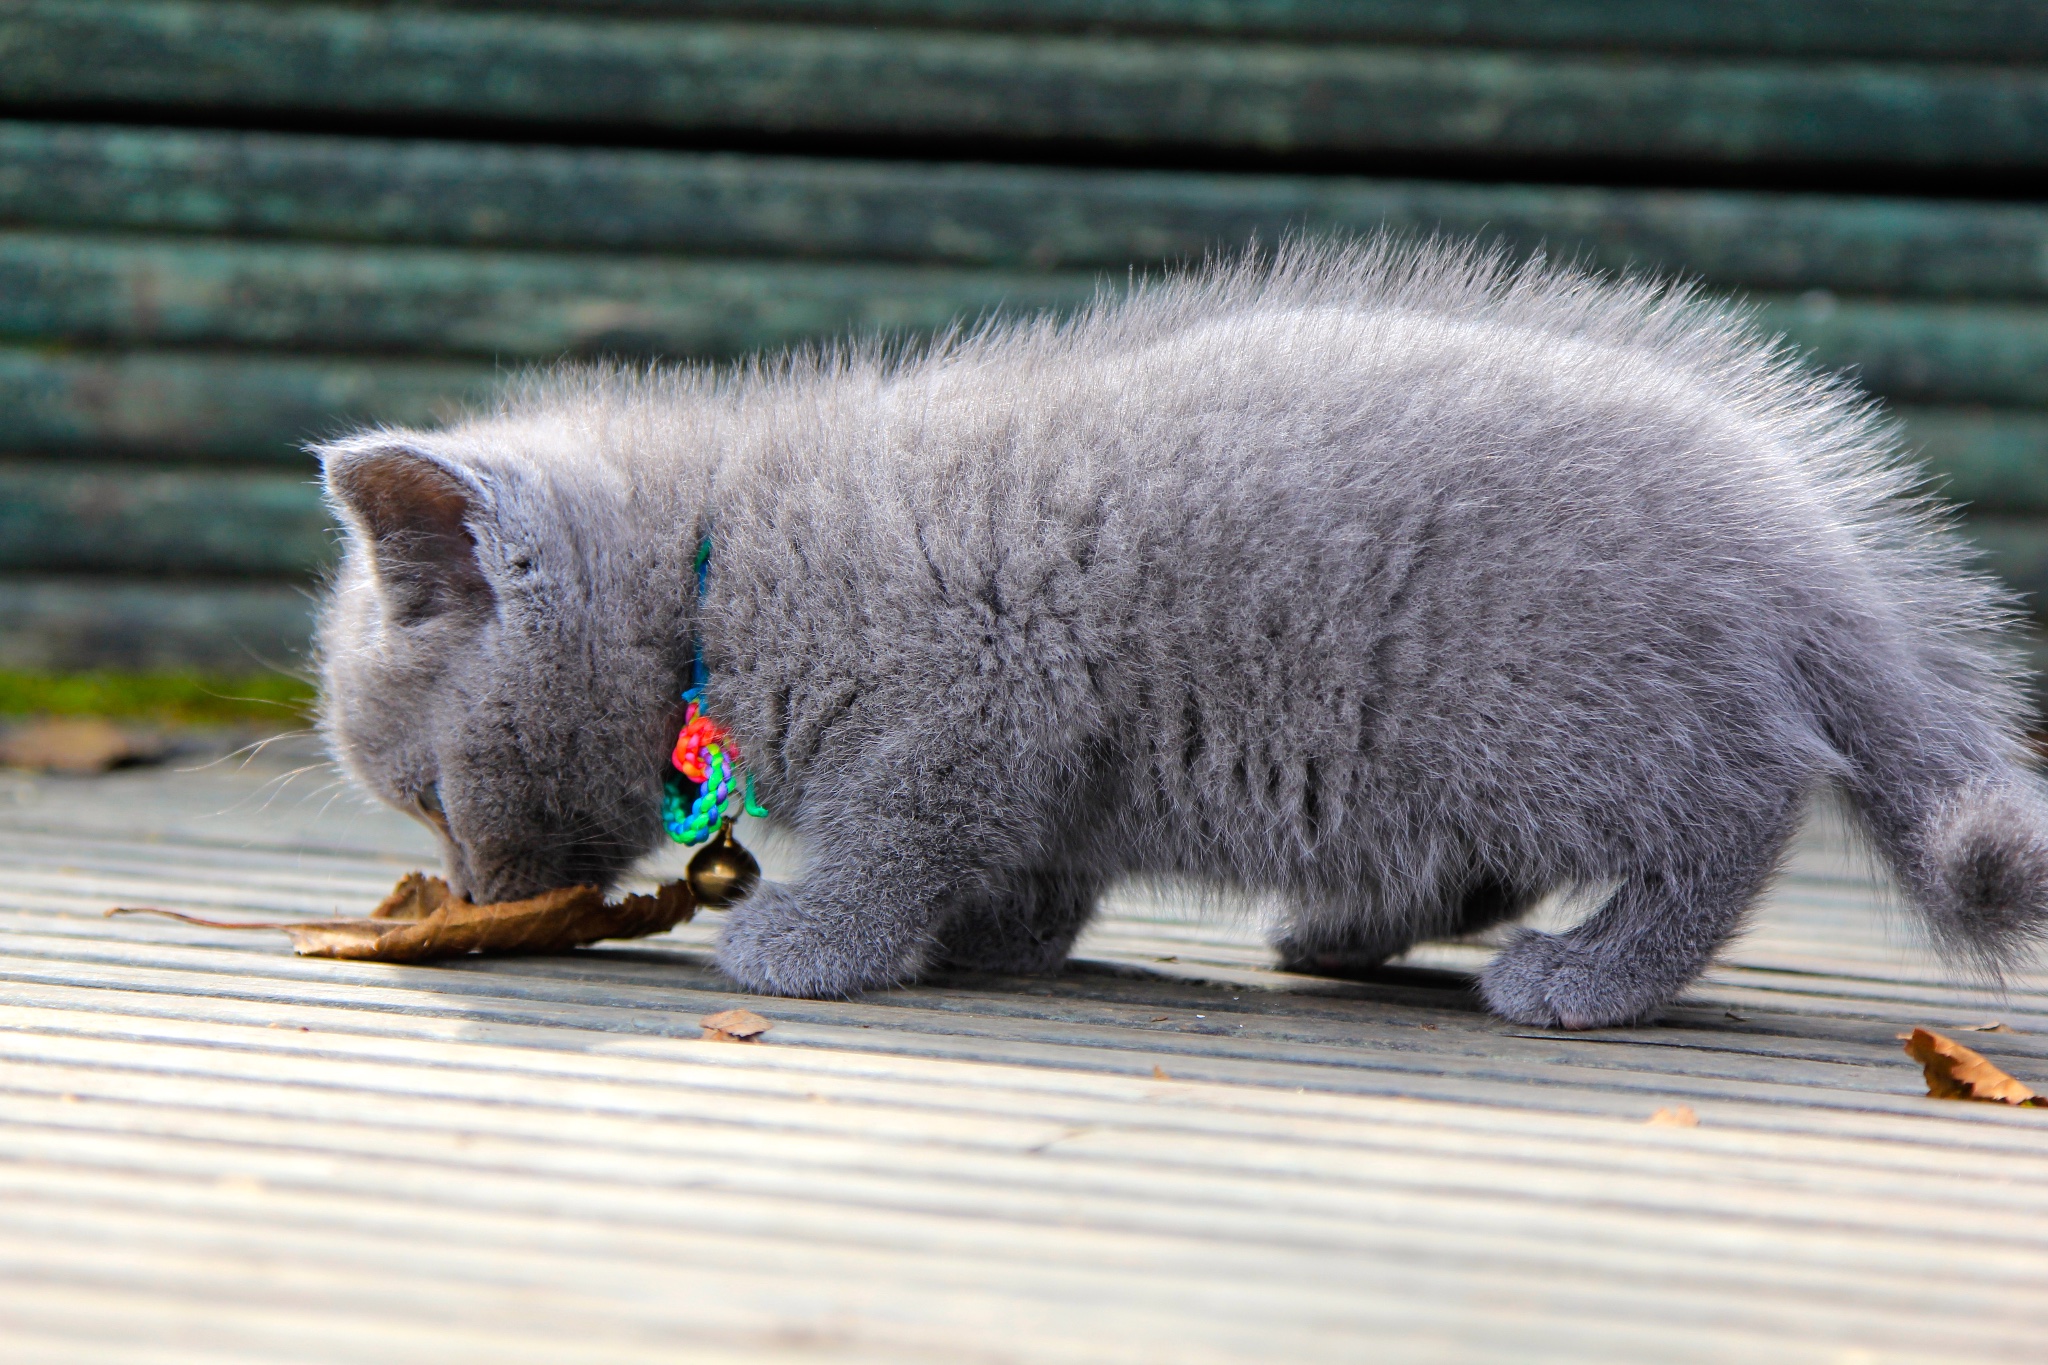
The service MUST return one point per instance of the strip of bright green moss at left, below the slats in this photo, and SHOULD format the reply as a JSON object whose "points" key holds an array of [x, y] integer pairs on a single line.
{"points": [[173, 699]]}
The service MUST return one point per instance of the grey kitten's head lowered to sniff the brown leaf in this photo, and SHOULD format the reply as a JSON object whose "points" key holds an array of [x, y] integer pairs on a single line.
{"points": [[499, 658]]}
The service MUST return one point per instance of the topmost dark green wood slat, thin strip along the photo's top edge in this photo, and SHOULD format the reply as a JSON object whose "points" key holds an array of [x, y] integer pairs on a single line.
{"points": [[1916, 30]]}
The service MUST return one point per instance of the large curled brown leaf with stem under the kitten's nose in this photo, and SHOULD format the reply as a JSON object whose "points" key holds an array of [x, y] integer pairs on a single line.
{"points": [[423, 920]]}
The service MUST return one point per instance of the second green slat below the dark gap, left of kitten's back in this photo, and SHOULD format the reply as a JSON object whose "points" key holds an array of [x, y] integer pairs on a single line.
{"points": [[488, 304]]}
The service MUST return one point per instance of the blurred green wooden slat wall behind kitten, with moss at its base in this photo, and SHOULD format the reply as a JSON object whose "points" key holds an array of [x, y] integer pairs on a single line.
{"points": [[228, 228]]}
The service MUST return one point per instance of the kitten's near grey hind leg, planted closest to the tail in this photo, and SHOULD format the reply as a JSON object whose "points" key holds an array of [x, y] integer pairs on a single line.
{"points": [[1652, 938]]}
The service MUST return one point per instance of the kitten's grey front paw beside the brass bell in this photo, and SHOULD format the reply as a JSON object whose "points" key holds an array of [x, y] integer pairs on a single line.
{"points": [[775, 942]]}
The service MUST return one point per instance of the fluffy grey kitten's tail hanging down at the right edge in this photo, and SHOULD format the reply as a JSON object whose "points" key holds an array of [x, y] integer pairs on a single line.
{"points": [[1938, 777]]}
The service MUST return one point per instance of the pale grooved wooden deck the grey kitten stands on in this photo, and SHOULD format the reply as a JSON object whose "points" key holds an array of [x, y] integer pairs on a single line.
{"points": [[216, 1151]]}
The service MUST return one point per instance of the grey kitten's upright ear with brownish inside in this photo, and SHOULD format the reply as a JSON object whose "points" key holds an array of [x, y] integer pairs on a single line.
{"points": [[415, 515]]}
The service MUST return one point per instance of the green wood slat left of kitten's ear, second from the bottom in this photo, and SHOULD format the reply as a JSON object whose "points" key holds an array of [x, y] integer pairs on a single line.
{"points": [[120, 519]]}
